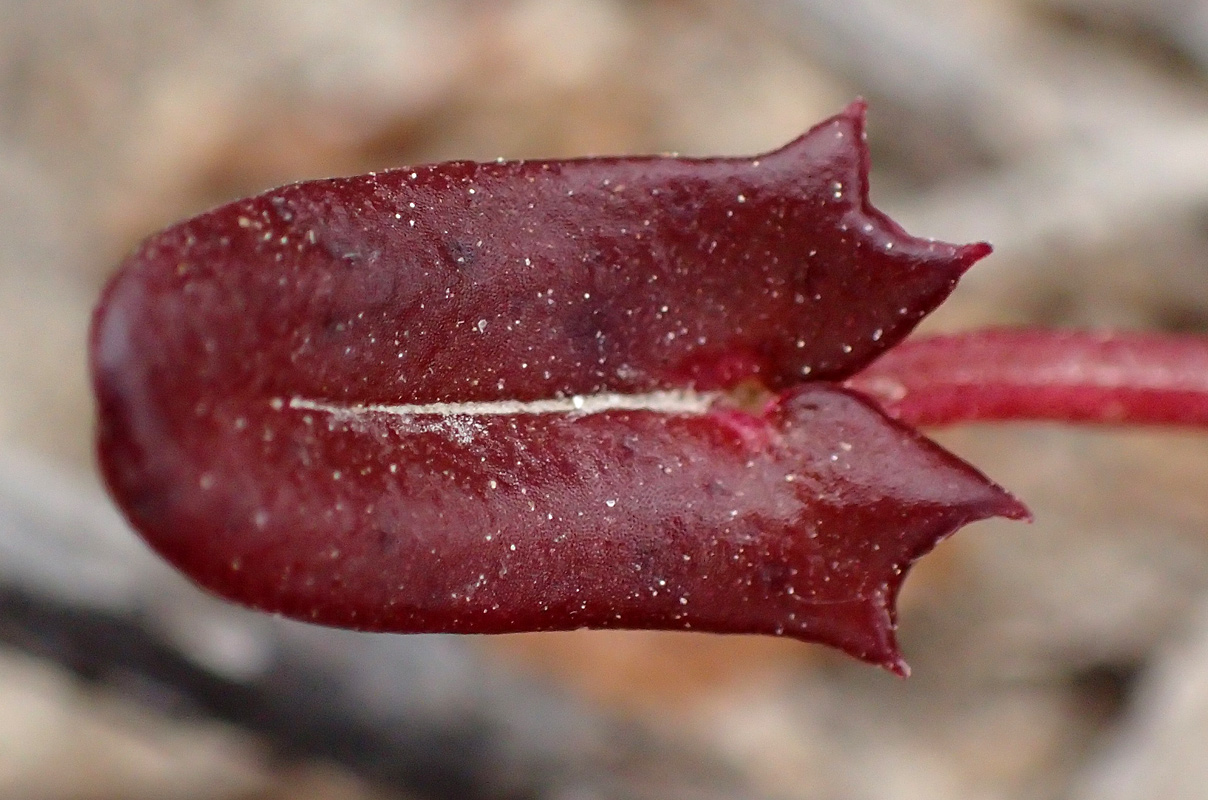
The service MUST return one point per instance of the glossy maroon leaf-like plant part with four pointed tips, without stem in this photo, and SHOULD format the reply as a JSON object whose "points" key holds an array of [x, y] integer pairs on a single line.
{"points": [[486, 398]]}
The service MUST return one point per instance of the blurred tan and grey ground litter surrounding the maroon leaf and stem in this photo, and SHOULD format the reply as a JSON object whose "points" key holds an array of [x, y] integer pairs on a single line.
{"points": [[1066, 659]]}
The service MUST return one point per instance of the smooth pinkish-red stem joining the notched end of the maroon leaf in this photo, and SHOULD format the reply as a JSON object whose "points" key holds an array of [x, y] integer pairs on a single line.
{"points": [[1062, 376]]}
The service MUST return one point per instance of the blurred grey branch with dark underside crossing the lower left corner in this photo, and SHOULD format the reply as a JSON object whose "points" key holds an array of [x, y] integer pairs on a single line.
{"points": [[417, 714]]}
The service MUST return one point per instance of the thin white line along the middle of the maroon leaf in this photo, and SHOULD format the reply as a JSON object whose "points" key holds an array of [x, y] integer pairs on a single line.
{"points": [[670, 402]]}
